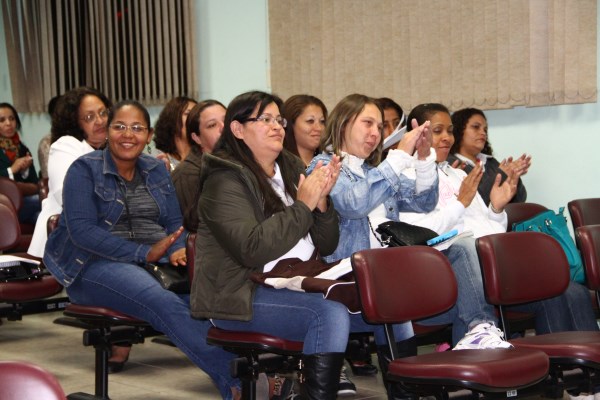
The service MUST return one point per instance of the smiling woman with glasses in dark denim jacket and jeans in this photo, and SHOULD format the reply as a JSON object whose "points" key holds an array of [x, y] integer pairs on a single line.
{"points": [[121, 211]]}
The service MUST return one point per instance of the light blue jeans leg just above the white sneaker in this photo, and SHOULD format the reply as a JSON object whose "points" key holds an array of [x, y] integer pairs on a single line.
{"points": [[471, 307]]}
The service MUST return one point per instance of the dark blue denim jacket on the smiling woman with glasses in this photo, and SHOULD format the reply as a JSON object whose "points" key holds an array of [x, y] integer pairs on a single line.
{"points": [[93, 203]]}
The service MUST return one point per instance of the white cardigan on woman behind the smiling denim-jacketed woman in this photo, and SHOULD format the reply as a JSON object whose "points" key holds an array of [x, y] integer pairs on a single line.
{"points": [[62, 154]]}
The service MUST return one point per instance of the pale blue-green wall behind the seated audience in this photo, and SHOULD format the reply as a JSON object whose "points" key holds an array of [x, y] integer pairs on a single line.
{"points": [[233, 57]]}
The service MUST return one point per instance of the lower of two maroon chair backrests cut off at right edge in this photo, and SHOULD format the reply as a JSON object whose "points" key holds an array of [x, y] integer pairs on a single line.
{"points": [[588, 241]]}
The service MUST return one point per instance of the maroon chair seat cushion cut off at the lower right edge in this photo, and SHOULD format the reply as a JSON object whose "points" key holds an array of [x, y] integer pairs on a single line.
{"points": [[579, 345]]}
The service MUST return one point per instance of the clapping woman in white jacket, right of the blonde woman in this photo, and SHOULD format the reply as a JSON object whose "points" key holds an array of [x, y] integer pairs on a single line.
{"points": [[461, 207]]}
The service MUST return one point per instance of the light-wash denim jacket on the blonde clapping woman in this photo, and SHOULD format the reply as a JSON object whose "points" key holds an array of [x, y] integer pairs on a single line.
{"points": [[354, 197]]}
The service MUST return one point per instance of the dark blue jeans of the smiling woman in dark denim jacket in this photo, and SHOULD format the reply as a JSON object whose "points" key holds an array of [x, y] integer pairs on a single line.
{"points": [[130, 289]]}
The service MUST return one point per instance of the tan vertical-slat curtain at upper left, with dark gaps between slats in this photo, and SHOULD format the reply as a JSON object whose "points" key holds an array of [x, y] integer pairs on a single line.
{"points": [[128, 49]]}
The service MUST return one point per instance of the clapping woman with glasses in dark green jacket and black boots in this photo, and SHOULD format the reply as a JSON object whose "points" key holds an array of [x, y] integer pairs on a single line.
{"points": [[257, 208]]}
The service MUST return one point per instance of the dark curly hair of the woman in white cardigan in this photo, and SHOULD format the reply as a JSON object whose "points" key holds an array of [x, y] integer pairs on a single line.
{"points": [[65, 118]]}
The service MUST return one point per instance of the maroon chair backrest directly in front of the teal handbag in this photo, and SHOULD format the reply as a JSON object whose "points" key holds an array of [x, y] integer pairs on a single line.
{"points": [[520, 267]]}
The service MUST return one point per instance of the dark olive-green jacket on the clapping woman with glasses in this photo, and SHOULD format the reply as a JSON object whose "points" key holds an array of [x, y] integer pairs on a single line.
{"points": [[236, 238]]}
